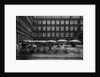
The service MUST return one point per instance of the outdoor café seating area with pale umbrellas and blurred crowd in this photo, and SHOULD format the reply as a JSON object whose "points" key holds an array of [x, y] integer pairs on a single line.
{"points": [[50, 47]]}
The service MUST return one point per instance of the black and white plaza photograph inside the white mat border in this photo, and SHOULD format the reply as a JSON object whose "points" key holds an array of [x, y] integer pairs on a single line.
{"points": [[49, 37]]}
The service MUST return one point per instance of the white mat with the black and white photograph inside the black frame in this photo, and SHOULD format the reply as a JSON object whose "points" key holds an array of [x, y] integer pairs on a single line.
{"points": [[49, 38]]}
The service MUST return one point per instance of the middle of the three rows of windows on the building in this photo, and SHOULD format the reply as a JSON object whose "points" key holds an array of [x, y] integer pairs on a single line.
{"points": [[57, 28]]}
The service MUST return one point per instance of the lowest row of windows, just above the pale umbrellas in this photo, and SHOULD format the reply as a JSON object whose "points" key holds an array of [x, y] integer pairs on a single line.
{"points": [[53, 34]]}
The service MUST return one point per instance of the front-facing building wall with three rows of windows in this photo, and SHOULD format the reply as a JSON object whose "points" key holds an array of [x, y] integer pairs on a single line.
{"points": [[57, 28]]}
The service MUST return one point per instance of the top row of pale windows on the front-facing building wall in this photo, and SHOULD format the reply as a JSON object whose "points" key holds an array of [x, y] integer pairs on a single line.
{"points": [[57, 22]]}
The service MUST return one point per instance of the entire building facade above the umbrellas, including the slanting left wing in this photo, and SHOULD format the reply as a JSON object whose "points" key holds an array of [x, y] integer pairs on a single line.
{"points": [[49, 27]]}
